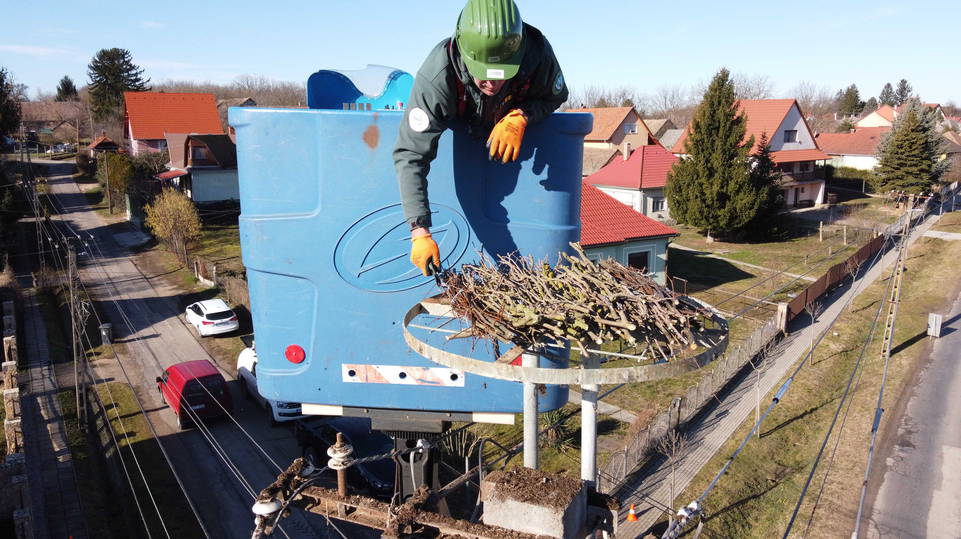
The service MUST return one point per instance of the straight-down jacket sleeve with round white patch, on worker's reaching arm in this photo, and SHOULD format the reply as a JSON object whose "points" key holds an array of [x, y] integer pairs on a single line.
{"points": [[428, 113]]}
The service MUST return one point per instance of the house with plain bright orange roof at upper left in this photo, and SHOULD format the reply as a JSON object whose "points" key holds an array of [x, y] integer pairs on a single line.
{"points": [[148, 116]]}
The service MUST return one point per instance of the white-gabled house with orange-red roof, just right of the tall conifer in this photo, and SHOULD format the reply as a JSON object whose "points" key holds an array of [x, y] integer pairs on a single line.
{"points": [[793, 147]]}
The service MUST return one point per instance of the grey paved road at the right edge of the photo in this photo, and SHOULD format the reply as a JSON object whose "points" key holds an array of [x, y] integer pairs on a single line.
{"points": [[921, 486]]}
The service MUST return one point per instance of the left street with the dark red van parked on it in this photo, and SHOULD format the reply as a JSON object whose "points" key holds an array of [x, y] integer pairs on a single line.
{"points": [[223, 468]]}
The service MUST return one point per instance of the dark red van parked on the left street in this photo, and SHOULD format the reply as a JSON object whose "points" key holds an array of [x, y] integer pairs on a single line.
{"points": [[194, 389]]}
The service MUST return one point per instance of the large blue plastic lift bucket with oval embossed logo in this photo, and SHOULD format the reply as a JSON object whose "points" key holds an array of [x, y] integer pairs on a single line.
{"points": [[326, 249]]}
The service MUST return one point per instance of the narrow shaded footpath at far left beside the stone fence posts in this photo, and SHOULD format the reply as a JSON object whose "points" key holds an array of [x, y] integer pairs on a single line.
{"points": [[55, 505]]}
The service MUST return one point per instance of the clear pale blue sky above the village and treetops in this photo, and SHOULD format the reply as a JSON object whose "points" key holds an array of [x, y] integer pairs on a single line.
{"points": [[643, 45]]}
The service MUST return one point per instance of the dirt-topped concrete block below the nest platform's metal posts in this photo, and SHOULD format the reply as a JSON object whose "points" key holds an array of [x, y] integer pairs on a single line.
{"points": [[550, 514]]}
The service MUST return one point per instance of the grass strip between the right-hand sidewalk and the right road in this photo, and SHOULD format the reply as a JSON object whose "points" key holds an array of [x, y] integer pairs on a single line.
{"points": [[756, 497]]}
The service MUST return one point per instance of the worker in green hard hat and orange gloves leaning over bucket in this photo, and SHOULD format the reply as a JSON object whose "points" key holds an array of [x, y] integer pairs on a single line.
{"points": [[497, 74]]}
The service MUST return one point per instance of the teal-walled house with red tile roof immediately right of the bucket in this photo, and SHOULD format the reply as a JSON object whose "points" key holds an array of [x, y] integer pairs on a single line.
{"points": [[610, 229]]}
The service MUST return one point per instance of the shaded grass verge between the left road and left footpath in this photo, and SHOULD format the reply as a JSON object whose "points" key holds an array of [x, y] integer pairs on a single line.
{"points": [[134, 437]]}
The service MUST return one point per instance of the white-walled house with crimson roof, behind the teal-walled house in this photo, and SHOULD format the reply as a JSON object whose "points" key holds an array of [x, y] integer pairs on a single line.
{"points": [[638, 180]]}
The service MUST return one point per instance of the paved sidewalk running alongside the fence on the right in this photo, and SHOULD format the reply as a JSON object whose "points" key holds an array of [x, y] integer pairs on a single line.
{"points": [[649, 490]]}
